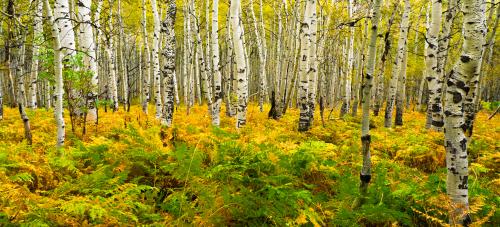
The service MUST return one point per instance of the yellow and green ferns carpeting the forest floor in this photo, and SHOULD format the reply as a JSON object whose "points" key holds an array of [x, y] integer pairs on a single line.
{"points": [[131, 171]]}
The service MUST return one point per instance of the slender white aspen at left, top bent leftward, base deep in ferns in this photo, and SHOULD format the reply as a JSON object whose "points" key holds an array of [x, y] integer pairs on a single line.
{"points": [[58, 74]]}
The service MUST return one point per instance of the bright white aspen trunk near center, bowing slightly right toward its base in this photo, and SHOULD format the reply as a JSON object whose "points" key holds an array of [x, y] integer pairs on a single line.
{"points": [[242, 87]]}
